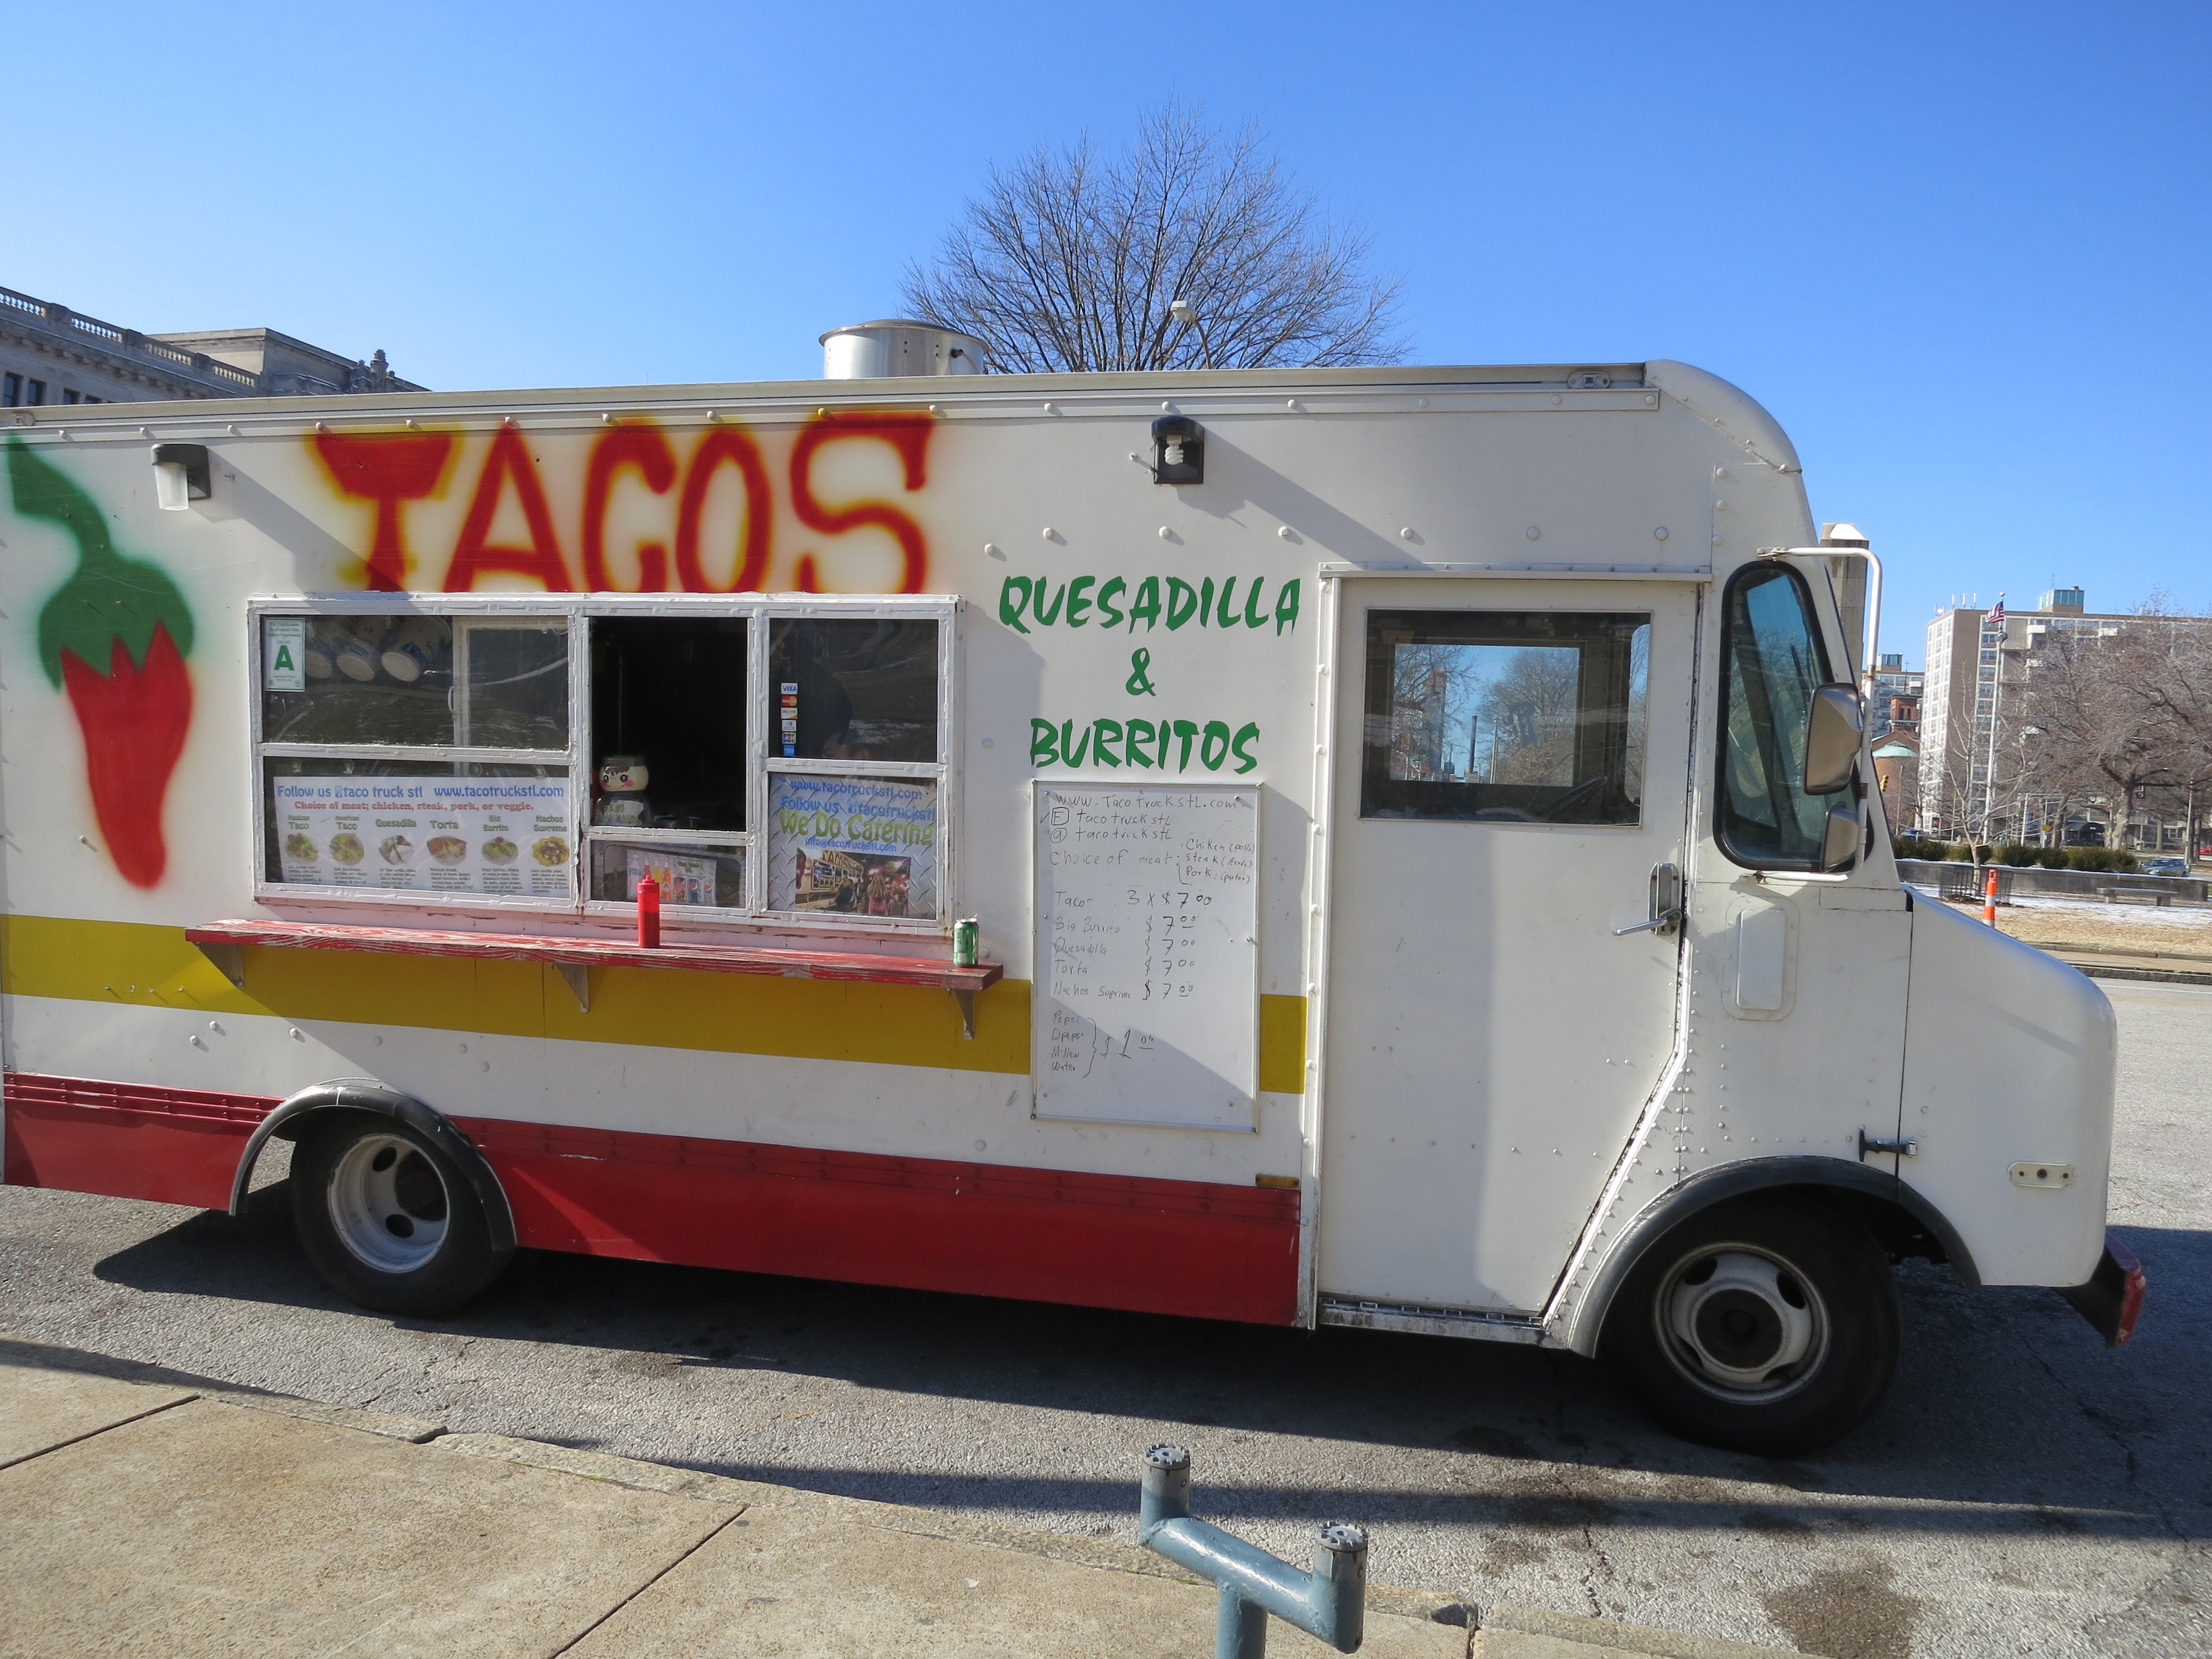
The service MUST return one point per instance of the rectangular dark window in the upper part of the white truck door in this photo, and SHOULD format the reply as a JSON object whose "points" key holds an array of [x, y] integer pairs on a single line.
{"points": [[1505, 716]]}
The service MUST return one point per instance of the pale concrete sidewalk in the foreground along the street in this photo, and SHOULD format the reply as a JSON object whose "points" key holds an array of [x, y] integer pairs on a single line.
{"points": [[158, 1514]]}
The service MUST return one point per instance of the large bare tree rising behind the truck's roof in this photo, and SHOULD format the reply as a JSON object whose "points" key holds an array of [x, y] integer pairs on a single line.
{"points": [[1074, 260]]}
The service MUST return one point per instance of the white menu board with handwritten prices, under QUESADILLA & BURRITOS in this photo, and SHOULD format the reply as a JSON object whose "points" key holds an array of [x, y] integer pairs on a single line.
{"points": [[1147, 954]]}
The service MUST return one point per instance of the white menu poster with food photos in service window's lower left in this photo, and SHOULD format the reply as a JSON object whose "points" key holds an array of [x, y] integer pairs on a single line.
{"points": [[426, 835]]}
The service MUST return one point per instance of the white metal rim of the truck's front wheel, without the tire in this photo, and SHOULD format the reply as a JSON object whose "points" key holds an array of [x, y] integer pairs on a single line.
{"points": [[1742, 1324]]}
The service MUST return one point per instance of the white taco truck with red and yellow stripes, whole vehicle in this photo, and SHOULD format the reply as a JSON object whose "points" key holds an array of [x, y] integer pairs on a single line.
{"points": [[1379, 848]]}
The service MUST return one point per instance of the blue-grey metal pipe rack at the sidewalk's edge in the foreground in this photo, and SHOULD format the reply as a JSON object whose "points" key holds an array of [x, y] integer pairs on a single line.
{"points": [[1331, 1603]]}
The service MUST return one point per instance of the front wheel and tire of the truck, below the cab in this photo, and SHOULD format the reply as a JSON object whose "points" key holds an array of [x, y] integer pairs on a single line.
{"points": [[1760, 1326]]}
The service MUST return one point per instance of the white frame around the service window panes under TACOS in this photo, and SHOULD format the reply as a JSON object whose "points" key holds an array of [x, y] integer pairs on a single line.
{"points": [[576, 760]]}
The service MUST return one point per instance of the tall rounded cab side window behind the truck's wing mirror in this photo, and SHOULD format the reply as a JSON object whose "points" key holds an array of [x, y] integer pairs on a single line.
{"points": [[1773, 660]]}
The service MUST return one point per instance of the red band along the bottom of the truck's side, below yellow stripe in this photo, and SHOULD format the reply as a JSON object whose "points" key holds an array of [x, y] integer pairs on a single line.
{"points": [[1145, 1244]]}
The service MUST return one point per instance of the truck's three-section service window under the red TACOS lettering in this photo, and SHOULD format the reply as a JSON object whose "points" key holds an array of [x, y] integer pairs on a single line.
{"points": [[552, 753]]}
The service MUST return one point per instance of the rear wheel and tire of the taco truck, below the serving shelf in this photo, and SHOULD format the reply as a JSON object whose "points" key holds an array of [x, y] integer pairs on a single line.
{"points": [[388, 1220]]}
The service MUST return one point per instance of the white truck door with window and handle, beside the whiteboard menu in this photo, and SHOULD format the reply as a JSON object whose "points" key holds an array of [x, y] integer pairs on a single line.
{"points": [[1510, 769]]}
